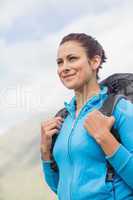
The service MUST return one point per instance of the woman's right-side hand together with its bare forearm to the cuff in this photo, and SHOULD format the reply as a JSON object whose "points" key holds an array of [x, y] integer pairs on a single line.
{"points": [[99, 125]]}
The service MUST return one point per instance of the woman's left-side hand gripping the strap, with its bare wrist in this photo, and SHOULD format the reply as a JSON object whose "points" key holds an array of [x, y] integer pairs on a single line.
{"points": [[48, 129]]}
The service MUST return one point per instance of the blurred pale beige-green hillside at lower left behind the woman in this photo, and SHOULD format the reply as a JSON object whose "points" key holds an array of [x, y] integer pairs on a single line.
{"points": [[21, 177]]}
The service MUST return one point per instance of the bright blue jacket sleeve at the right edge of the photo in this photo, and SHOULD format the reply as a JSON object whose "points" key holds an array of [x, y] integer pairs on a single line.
{"points": [[122, 158]]}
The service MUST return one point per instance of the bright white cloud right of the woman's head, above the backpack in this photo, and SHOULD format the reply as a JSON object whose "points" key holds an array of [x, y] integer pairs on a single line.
{"points": [[114, 31]]}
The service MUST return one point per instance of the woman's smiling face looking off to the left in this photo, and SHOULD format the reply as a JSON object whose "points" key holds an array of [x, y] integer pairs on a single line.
{"points": [[74, 67]]}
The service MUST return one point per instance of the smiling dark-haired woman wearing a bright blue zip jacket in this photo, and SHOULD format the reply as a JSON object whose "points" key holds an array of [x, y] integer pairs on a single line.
{"points": [[85, 143]]}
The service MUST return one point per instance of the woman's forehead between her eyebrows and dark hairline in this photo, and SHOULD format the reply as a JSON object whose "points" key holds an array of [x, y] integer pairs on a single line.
{"points": [[70, 47]]}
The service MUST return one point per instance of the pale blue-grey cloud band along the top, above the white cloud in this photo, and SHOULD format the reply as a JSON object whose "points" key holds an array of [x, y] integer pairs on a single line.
{"points": [[32, 19]]}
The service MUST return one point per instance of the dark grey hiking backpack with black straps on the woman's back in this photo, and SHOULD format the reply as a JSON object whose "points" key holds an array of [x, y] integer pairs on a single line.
{"points": [[120, 85]]}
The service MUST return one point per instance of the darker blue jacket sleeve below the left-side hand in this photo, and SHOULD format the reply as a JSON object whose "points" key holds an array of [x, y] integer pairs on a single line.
{"points": [[50, 175]]}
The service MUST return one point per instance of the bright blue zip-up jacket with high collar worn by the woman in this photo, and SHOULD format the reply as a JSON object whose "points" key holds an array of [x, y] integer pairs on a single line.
{"points": [[81, 161]]}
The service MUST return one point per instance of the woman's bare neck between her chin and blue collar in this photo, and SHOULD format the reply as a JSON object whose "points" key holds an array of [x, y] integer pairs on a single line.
{"points": [[85, 93]]}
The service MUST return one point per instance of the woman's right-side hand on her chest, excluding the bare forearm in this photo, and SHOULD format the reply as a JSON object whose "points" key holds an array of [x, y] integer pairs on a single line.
{"points": [[98, 125]]}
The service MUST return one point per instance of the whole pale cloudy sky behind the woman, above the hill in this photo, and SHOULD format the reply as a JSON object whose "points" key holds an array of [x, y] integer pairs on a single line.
{"points": [[30, 32]]}
